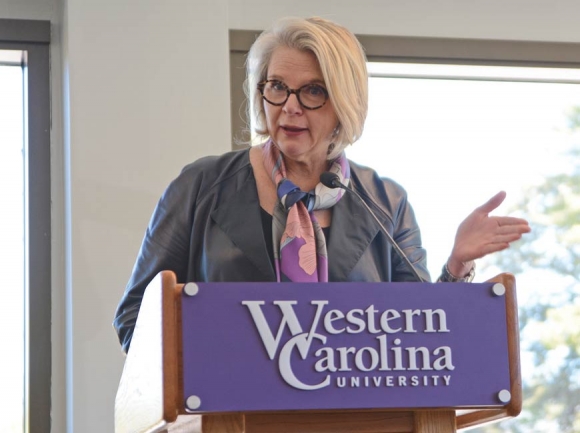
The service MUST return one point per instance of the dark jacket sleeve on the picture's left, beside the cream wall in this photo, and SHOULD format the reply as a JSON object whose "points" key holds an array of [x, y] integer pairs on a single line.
{"points": [[165, 246]]}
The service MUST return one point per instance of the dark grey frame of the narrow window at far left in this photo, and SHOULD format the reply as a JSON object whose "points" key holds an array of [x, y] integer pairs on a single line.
{"points": [[33, 38]]}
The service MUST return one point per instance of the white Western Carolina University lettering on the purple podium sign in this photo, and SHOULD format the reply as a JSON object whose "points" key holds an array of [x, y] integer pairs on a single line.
{"points": [[384, 355]]}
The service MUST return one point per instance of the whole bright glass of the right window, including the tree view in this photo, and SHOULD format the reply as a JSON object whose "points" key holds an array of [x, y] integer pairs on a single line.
{"points": [[465, 133]]}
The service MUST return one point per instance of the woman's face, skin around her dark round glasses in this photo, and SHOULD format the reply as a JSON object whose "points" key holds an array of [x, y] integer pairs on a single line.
{"points": [[302, 135]]}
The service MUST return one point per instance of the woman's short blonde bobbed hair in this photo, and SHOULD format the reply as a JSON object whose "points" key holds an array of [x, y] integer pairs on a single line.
{"points": [[342, 62]]}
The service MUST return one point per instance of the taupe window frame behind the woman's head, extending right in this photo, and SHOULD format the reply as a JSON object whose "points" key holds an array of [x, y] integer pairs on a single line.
{"points": [[404, 49]]}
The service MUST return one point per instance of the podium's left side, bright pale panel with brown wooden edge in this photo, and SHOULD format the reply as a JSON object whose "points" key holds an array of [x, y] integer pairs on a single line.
{"points": [[148, 397]]}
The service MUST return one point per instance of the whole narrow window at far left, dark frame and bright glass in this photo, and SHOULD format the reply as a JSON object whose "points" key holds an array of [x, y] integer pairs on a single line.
{"points": [[24, 48]]}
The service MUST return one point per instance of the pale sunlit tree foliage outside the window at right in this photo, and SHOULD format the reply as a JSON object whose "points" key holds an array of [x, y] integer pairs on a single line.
{"points": [[550, 321]]}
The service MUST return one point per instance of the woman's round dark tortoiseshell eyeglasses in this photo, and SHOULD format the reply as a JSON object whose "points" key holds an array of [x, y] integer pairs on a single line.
{"points": [[310, 96]]}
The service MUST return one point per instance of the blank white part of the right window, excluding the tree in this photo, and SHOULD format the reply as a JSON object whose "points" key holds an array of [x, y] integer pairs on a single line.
{"points": [[465, 133]]}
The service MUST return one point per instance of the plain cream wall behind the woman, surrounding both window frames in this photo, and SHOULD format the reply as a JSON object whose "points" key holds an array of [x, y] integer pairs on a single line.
{"points": [[140, 88]]}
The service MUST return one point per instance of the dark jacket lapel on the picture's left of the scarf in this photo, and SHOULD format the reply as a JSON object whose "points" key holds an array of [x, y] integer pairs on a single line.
{"points": [[239, 217]]}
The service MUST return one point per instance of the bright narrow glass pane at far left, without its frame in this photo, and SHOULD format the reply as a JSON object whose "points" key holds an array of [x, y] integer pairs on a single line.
{"points": [[12, 234]]}
